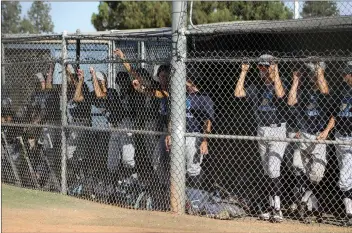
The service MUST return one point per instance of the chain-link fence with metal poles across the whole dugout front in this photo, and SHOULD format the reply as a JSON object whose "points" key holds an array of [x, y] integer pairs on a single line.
{"points": [[246, 118]]}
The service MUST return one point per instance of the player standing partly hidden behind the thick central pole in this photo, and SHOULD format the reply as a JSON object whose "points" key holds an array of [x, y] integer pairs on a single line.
{"points": [[199, 117]]}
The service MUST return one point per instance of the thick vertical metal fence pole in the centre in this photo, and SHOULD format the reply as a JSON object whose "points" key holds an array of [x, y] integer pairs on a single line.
{"points": [[178, 107]]}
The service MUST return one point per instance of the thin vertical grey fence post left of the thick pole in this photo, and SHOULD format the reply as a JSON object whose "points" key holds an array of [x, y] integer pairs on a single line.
{"points": [[63, 116]]}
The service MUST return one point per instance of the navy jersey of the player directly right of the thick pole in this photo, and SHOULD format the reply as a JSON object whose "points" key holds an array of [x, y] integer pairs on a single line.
{"points": [[199, 108]]}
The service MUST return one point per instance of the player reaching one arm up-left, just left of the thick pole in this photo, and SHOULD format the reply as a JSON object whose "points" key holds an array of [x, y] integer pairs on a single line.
{"points": [[155, 112]]}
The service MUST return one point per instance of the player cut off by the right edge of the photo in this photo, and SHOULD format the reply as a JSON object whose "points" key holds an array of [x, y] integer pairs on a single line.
{"points": [[343, 133]]}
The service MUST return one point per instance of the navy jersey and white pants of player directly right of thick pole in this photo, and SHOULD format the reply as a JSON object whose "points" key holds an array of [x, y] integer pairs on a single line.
{"points": [[199, 108]]}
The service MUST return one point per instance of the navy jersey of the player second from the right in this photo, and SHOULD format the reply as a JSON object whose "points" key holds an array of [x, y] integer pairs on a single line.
{"points": [[313, 109]]}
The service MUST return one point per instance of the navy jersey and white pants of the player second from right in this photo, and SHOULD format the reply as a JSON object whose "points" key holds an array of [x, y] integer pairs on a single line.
{"points": [[312, 118]]}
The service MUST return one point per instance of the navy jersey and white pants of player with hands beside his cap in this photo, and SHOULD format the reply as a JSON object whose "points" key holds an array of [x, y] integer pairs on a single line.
{"points": [[270, 112]]}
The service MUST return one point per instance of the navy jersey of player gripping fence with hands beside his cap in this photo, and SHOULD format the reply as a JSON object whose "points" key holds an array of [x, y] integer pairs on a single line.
{"points": [[268, 108]]}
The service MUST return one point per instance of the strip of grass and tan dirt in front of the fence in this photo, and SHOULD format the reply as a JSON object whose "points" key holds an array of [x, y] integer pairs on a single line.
{"points": [[26, 210]]}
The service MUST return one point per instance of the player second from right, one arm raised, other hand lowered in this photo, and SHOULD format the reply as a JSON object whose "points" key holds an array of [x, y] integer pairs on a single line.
{"points": [[310, 94]]}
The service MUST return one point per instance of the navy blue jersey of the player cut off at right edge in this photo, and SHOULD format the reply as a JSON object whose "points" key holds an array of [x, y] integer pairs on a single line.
{"points": [[343, 109]]}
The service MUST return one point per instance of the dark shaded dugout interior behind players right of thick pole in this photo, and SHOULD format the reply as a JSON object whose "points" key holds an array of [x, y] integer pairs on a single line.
{"points": [[235, 164]]}
